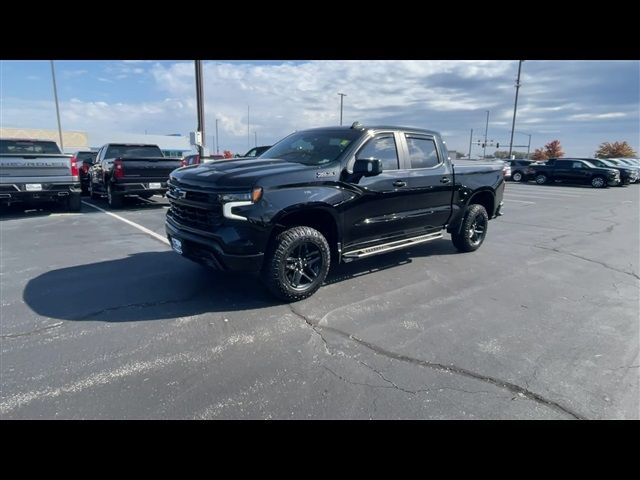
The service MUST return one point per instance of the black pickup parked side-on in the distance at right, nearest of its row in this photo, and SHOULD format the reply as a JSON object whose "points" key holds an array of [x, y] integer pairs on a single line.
{"points": [[573, 170]]}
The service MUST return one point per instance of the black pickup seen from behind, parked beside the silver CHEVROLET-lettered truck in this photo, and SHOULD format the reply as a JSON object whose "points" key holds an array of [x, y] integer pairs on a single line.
{"points": [[122, 169]]}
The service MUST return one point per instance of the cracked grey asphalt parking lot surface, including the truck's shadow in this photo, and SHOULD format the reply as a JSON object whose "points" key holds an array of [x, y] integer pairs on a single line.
{"points": [[100, 319]]}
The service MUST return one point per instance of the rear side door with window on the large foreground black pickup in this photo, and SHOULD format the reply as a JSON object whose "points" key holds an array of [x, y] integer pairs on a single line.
{"points": [[429, 181]]}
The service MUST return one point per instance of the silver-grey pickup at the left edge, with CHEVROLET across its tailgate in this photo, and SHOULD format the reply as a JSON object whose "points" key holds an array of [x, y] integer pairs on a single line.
{"points": [[36, 171]]}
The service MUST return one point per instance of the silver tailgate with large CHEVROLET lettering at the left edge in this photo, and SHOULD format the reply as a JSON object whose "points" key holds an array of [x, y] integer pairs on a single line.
{"points": [[24, 168]]}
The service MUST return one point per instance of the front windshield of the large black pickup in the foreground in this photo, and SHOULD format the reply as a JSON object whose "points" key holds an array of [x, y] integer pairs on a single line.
{"points": [[313, 147]]}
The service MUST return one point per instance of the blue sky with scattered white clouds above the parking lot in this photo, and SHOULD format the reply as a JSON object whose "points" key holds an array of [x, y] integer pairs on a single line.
{"points": [[581, 103]]}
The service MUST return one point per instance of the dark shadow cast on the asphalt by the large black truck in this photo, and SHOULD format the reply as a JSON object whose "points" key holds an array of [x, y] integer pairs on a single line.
{"points": [[162, 285]]}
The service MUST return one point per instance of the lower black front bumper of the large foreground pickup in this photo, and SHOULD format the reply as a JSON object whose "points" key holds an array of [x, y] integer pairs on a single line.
{"points": [[207, 251]]}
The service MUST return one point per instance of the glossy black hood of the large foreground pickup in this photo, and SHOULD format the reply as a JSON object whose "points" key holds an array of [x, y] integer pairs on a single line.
{"points": [[236, 174]]}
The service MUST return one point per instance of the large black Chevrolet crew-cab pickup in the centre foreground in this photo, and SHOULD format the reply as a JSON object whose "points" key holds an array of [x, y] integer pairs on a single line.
{"points": [[328, 195]]}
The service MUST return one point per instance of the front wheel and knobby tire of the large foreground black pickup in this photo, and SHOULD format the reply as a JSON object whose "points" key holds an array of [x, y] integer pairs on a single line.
{"points": [[297, 264]]}
